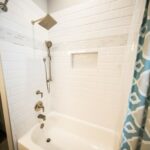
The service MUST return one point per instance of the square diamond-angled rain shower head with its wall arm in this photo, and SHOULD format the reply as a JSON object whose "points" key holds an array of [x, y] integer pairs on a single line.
{"points": [[46, 22]]}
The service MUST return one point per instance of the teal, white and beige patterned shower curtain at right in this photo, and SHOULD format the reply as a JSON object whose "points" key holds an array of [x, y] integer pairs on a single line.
{"points": [[136, 131]]}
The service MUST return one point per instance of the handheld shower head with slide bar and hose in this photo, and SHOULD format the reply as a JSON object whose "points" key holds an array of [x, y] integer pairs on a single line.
{"points": [[48, 58]]}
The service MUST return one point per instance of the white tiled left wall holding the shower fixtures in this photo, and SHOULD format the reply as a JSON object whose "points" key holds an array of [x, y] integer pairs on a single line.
{"points": [[22, 50]]}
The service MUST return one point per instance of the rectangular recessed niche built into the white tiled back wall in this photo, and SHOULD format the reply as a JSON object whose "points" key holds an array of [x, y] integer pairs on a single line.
{"points": [[84, 59]]}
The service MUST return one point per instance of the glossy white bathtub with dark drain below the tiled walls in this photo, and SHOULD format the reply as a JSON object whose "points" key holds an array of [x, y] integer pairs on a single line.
{"points": [[67, 133]]}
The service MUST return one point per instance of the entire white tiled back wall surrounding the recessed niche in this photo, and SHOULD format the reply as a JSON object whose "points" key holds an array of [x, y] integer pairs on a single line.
{"points": [[91, 94]]}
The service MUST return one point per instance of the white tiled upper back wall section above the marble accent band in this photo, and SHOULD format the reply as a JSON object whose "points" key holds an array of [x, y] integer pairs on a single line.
{"points": [[93, 20]]}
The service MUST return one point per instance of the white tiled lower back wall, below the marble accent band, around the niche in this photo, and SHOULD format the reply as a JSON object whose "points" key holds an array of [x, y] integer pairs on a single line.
{"points": [[93, 95]]}
